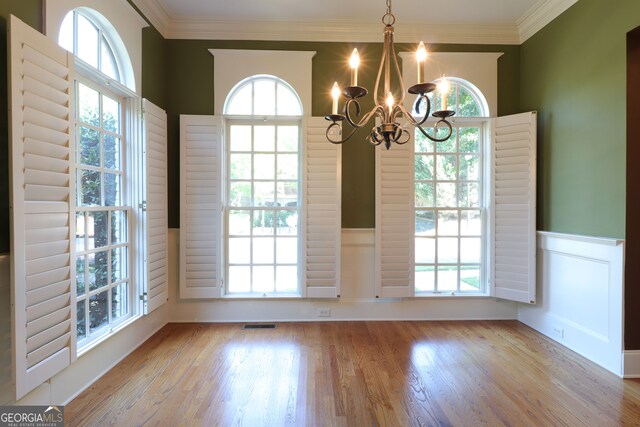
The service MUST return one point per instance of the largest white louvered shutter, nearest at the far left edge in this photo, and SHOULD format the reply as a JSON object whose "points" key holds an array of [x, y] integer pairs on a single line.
{"points": [[42, 188]]}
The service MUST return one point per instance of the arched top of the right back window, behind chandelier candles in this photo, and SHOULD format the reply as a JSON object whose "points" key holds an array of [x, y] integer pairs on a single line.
{"points": [[463, 97]]}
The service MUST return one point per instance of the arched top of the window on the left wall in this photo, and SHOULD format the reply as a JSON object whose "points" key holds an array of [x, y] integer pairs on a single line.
{"points": [[92, 38]]}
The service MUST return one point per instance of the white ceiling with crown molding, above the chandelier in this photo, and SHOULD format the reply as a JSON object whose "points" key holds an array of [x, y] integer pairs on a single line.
{"points": [[453, 21]]}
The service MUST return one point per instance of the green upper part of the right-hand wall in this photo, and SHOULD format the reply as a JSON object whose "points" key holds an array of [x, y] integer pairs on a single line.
{"points": [[574, 73]]}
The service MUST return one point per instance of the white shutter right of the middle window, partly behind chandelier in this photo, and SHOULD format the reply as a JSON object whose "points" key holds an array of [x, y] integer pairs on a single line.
{"points": [[322, 202]]}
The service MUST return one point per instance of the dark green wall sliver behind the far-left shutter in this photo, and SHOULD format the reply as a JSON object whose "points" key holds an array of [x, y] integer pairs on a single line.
{"points": [[30, 12]]}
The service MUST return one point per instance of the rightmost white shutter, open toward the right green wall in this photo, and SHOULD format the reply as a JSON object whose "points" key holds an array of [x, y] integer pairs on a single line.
{"points": [[513, 269]]}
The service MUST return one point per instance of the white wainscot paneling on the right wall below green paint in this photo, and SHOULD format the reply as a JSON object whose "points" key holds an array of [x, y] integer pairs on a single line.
{"points": [[580, 289]]}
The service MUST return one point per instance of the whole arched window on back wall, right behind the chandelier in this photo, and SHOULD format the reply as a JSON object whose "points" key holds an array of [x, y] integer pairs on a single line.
{"points": [[449, 205]]}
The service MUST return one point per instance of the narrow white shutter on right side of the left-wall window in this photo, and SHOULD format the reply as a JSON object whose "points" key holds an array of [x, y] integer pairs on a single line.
{"points": [[156, 221]]}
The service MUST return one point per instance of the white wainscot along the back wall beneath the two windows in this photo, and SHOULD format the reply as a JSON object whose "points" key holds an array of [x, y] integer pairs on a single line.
{"points": [[357, 300]]}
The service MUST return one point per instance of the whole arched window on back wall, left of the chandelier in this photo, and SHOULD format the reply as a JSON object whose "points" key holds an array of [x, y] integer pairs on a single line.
{"points": [[263, 188]]}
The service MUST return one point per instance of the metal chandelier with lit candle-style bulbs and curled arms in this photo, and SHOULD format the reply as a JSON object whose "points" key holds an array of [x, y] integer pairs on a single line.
{"points": [[388, 110]]}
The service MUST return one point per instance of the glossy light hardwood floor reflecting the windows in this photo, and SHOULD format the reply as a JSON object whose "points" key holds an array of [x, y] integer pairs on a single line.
{"points": [[356, 374]]}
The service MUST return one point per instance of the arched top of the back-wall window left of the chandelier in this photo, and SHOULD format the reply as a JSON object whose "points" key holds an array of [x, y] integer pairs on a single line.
{"points": [[263, 95]]}
